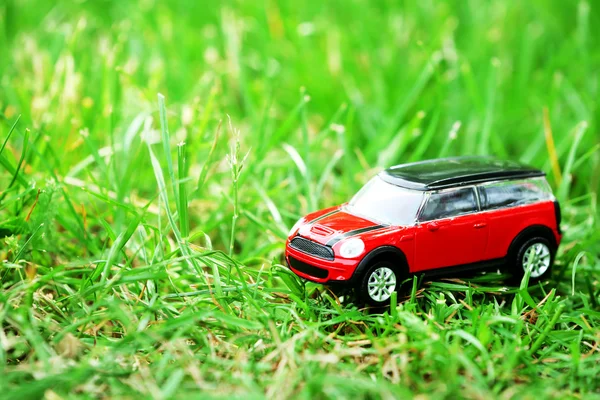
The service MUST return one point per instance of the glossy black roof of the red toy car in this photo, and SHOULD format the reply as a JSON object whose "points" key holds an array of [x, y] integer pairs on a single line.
{"points": [[457, 171]]}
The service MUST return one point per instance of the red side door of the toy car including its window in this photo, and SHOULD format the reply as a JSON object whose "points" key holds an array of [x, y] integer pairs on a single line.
{"points": [[451, 230]]}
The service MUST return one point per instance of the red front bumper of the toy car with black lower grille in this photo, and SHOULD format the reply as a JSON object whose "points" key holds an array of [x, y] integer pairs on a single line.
{"points": [[319, 270]]}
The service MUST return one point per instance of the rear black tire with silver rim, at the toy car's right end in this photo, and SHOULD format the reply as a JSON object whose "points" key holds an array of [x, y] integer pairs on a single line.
{"points": [[542, 252]]}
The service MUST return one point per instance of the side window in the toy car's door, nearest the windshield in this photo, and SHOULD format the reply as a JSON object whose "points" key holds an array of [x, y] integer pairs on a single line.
{"points": [[447, 204]]}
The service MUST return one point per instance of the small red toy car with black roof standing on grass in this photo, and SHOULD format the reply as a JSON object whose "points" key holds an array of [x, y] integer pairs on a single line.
{"points": [[436, 217]]}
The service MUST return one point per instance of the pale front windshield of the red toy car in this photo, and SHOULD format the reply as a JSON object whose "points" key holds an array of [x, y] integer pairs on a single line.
{"points": [[384, 202]]}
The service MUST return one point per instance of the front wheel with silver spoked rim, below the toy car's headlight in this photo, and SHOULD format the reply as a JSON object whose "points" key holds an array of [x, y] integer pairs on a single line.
{"points": [[378, 283]]}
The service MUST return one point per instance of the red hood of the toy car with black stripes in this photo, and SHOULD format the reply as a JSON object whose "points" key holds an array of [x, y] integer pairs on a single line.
{"points": [[338, 224]]}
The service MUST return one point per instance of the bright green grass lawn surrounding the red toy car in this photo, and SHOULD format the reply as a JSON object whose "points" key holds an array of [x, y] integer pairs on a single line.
{"points": [[154, 157]]}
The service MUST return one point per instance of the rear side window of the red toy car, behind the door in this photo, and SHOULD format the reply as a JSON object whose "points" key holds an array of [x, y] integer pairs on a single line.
{"points": [[513, 193]]}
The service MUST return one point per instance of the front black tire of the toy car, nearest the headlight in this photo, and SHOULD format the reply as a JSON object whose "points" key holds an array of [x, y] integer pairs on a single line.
{"points": [[379, 270]]}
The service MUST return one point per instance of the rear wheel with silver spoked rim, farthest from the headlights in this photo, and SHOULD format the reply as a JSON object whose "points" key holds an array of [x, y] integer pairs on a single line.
{"points": [[536, 254]]}
